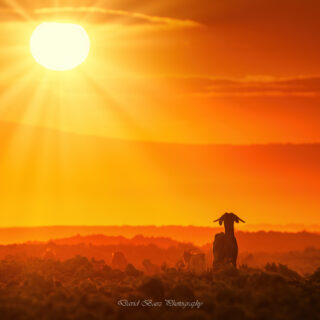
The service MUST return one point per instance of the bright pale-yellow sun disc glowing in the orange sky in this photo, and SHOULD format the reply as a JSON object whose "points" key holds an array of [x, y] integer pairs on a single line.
{"points": [[59, 46]]}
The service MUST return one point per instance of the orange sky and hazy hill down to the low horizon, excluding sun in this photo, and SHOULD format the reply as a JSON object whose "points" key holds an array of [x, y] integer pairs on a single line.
{"points": [[235, 72]]}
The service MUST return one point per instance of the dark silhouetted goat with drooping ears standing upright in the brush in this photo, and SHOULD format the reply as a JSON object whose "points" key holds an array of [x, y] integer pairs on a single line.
{"points": [[225, 248]]}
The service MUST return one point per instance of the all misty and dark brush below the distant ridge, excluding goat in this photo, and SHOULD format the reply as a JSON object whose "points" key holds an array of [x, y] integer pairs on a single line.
{"points": [[82, 278]]}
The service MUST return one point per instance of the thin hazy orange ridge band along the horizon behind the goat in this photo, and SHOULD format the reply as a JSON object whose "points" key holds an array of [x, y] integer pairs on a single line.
{"points": [[163, 237]]}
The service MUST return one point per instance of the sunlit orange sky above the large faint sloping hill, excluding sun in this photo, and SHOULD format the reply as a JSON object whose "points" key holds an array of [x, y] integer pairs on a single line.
{"points": [[235, 71]]}
